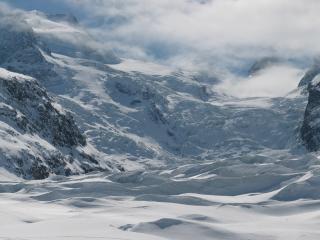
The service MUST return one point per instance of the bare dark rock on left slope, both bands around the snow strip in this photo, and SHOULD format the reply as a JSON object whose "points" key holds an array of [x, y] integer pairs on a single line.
{"points": [[28, 109]]}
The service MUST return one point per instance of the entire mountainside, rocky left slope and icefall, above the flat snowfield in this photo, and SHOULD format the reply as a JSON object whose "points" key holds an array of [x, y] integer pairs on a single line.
{"points": [[129, 114]]}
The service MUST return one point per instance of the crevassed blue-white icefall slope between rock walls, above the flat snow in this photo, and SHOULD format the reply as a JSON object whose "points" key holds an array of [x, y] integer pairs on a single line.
{"points": [[171, 116]]}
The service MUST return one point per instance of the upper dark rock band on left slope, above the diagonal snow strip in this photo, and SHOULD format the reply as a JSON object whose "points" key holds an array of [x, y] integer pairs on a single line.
{"points": [[37, 113]]}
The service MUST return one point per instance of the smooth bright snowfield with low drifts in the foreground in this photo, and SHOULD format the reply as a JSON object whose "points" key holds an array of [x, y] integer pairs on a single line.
{"points": [[100, 207]]}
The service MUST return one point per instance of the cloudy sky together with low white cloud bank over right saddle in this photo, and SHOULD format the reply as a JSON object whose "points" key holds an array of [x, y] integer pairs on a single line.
{"points": [[218, 36]]}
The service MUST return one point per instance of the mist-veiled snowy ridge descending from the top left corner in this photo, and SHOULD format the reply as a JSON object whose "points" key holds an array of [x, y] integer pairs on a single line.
{"points": [[60, 36]]}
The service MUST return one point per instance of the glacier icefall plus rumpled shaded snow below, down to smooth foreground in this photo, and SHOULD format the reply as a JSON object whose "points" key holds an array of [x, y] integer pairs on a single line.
{"points": [[202, 141]]}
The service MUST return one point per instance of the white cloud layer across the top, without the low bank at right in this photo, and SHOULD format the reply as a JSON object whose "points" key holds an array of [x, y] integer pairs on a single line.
{"points": [[167, 30]]}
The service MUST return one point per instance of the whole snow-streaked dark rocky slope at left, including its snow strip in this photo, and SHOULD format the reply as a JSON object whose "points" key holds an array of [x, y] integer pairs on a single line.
{"points": [[37, 139]]}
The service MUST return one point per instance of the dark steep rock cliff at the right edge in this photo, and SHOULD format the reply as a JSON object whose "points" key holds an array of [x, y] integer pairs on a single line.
{"points": [[310, 131]]}
